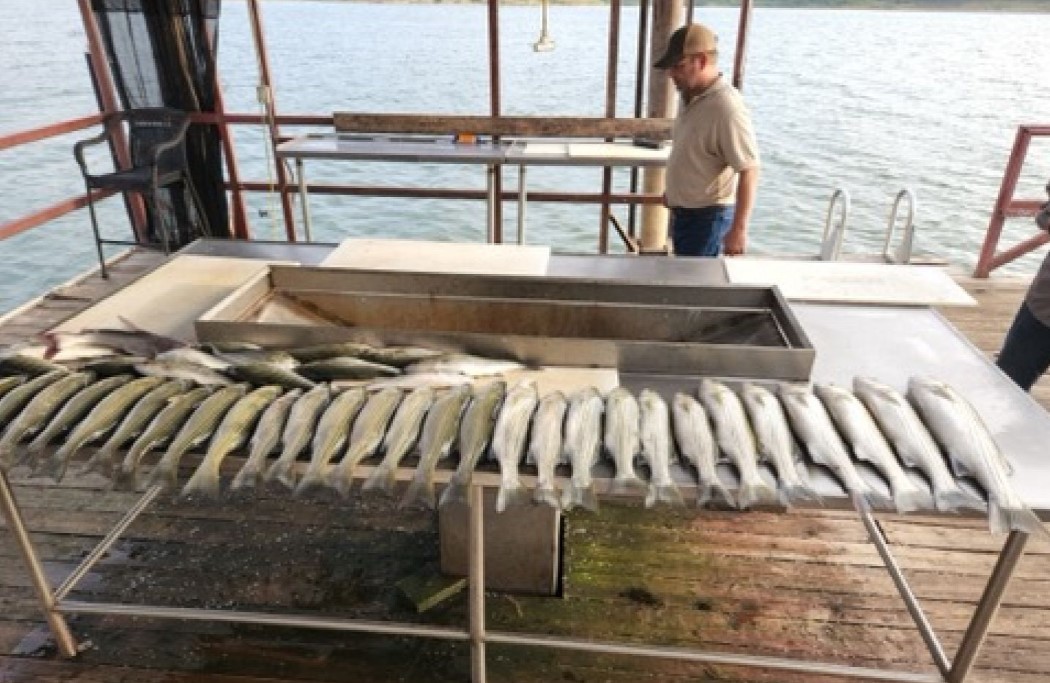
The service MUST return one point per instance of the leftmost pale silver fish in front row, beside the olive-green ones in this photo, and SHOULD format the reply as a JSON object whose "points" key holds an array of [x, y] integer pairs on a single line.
{"points": [[509, 443]]}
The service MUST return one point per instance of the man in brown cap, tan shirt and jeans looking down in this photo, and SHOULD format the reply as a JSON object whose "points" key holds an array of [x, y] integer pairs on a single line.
{"points": [[712, 174]]}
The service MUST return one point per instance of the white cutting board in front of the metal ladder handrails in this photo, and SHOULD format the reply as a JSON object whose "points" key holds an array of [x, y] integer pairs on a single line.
{"points": [[852, 283]]}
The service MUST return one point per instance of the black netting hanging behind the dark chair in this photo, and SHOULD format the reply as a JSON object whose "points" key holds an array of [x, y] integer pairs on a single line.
{"points": [[162, 53]]}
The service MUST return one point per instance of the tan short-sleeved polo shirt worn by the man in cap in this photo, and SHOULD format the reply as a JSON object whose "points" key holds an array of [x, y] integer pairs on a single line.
{"points": [[711, 142]]}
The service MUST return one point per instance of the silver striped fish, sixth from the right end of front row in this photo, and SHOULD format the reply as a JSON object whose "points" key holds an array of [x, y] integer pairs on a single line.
{"points": [[737, 441]]}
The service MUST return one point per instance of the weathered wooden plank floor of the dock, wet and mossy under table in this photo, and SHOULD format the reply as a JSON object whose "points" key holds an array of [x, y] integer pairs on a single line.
{"points": [[803, 585]]}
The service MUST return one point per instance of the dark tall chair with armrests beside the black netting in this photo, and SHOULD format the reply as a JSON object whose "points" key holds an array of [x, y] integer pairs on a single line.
{"points": [[157, 144]]}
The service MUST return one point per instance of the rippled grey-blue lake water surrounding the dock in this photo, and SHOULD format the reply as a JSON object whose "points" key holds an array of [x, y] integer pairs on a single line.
{"points": [[868, 101]]}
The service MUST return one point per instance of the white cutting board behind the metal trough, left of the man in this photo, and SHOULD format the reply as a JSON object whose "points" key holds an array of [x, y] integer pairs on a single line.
{"points": [[417, 256]]}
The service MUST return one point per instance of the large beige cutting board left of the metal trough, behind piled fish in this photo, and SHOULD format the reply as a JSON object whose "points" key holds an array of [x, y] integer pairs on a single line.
{"points": [[170, 300]]}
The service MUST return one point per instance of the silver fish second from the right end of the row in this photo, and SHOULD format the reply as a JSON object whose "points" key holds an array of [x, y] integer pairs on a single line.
{"points": [[916, 448]]}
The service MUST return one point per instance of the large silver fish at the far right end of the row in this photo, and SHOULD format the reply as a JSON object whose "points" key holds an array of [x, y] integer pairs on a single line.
{"points": [[958, 427]]}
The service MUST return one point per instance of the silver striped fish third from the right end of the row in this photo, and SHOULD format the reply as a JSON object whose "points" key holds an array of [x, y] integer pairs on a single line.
{"points": [[869, 445]]}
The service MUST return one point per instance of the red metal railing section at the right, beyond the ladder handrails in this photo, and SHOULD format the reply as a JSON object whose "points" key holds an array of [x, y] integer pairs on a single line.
{"points": [[1007, 208]]}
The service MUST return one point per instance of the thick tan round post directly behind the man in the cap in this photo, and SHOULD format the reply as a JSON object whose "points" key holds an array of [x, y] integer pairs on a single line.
{"points": [[663, 101]]}
